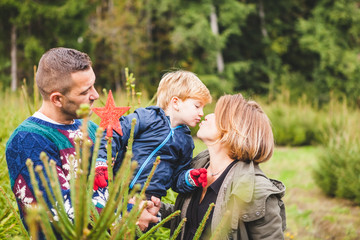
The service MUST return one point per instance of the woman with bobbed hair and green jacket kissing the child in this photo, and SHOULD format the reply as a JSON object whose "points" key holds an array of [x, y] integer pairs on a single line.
{"points": [[238, 137]]}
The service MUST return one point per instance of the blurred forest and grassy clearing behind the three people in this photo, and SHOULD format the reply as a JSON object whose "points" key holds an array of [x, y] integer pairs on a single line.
{"points": [[299, 59]]}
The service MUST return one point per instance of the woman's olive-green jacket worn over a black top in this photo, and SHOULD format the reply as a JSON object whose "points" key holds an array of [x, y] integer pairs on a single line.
{"points": [[252, 202]]}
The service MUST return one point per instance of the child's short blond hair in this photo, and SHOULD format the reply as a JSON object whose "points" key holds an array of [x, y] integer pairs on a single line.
{"points": [[181, 84]]}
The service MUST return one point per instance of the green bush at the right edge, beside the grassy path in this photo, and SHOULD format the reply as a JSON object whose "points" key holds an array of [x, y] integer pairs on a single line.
{"points": [[337, 173]]}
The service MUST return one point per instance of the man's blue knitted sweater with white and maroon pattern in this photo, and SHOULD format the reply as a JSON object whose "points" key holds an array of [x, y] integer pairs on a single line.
{"points": [[29, 139]]}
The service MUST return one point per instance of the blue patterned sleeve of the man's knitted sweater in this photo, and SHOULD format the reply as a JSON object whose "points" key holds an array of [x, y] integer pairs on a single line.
{"points": [[26, 145]]}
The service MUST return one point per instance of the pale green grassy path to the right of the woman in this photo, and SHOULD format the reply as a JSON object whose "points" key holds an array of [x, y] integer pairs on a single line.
{"points": [[310, 214]]}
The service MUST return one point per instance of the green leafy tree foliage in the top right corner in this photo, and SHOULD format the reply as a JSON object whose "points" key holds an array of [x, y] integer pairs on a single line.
{"points": [[331, 36]]}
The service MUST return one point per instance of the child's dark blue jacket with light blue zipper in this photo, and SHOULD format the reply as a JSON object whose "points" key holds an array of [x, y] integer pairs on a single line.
{"points": [[151, 129]]}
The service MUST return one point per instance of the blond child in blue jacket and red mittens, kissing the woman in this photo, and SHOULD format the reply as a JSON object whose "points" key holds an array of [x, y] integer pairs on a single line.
{"points": [[163, 131]]}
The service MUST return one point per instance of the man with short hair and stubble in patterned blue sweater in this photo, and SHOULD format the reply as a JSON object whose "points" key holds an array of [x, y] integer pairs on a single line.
{"points": [[65, 79]]}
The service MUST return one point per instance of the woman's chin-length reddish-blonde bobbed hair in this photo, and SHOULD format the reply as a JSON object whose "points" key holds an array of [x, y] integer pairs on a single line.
{"points": [[245, 130]]}
